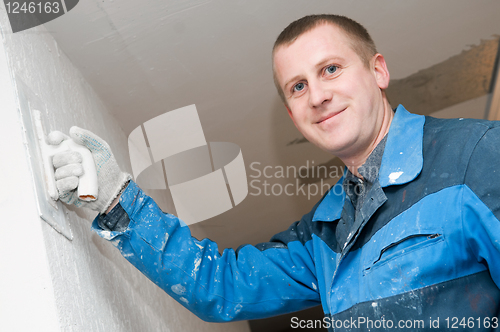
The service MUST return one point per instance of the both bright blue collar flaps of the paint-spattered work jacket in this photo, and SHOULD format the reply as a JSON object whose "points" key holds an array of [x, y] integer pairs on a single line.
{"points": [[402, 162]]}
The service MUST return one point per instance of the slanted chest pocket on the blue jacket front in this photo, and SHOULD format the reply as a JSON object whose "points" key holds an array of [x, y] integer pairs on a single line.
{"points": [[406, 247]]}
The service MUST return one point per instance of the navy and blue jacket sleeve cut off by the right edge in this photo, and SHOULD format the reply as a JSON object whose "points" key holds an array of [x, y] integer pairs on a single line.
{"points": [[481, 202]]}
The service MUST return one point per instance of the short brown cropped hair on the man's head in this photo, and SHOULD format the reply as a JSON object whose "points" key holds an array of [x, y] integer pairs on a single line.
{"points": [[362, 42]]}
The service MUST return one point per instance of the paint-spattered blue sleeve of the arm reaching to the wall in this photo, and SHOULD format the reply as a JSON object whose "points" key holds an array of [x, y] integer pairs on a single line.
{"points": [[253, 282]]}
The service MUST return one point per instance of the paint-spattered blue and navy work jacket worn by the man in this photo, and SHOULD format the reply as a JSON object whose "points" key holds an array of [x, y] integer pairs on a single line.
{"points": [[425, 251]]}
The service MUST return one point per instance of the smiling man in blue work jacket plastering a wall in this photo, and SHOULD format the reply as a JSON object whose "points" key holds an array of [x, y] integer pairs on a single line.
{"points": [[408, 238]]}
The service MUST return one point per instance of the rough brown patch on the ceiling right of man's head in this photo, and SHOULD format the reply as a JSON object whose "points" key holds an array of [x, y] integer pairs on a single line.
{"points": [[462, 77]]}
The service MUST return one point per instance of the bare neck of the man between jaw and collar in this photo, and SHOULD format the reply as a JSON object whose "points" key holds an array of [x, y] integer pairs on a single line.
{"points": [[354, 162]]}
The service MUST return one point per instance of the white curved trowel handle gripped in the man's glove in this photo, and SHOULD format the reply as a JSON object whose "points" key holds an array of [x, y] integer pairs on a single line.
{"points": [[88, 183]]}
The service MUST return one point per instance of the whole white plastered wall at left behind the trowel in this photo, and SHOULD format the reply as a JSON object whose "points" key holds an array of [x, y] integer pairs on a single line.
{"points": [[79, 285]]}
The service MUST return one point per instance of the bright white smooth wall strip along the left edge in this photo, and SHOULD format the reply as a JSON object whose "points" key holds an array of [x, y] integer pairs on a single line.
{"points": [[27, 300]]}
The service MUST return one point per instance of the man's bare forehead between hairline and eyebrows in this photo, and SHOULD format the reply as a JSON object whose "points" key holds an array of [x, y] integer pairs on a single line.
{"points": [[310, 48]]}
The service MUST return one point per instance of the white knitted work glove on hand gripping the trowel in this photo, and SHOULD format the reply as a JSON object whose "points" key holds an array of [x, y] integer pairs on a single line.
{"points": [[68, 167]]}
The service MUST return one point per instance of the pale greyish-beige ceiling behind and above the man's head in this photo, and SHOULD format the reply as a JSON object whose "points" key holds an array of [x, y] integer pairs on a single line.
{"points": [[147, 57]]}
